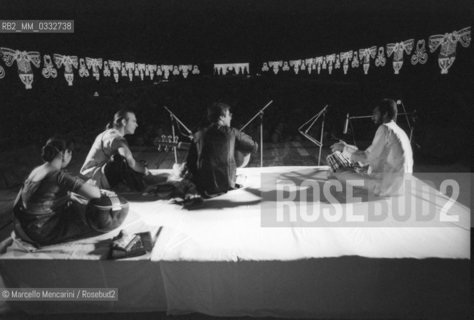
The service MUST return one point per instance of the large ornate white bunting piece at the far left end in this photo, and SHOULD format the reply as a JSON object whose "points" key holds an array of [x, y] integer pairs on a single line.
{"points": [[23, 61]]}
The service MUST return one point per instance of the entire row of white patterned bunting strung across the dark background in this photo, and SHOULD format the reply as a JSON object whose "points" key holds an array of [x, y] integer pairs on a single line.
{"points": [[416, 52]]}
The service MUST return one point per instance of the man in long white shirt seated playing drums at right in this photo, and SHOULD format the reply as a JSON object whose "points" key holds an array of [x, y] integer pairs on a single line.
{"points": [[389, 157]]}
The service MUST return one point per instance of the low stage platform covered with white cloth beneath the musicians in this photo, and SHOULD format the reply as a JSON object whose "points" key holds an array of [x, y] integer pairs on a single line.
{"points": [[220, 259]]}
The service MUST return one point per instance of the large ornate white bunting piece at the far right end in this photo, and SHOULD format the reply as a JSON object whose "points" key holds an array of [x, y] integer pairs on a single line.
{"points": [[448, 43]]}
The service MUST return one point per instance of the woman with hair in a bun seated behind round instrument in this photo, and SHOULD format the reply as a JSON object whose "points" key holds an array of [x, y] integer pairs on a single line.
{"points": [[46, 211]]}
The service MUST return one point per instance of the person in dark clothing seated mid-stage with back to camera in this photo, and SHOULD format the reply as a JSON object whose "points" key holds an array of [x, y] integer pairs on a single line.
{"points": [[211, 159]]}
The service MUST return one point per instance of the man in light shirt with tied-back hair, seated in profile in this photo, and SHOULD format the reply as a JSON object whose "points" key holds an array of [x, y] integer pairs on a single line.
{"points": [[110, 161]]}
